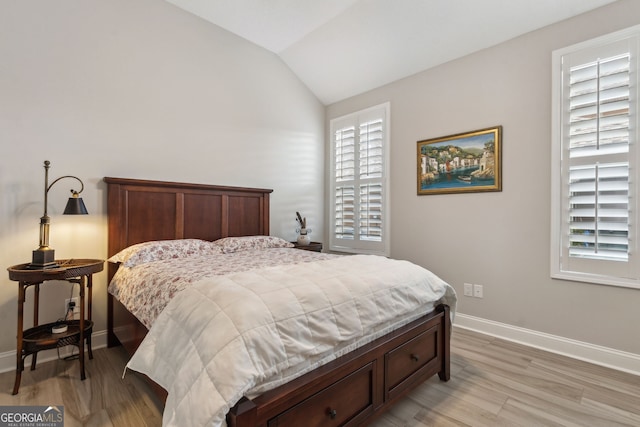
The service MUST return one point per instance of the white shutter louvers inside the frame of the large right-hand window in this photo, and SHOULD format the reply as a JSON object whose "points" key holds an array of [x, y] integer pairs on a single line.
{"points": [[599, 108]]}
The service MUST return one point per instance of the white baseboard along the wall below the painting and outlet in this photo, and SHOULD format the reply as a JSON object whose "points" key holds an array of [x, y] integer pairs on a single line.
{"points": [[603, 356]]}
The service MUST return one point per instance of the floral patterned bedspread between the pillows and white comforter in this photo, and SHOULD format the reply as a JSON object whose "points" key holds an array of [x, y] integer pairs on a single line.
{"points": [[147, 288]]}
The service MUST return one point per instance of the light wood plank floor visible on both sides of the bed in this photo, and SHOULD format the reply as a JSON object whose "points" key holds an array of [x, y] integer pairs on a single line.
{"points": [[493, 383]]}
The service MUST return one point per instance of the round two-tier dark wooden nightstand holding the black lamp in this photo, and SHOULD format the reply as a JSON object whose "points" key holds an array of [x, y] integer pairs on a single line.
{"points": [[41, 337]]}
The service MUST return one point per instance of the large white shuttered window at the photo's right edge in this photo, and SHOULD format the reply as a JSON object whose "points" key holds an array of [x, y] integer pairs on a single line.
{"points": [[596, 159]]}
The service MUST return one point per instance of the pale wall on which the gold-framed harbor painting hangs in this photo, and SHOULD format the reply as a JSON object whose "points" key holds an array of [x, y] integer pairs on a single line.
{"points": [[500, 240]]}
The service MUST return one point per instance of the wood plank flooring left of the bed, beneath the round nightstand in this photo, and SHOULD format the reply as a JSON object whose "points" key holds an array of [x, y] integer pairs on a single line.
{"points": [[104, 399]]}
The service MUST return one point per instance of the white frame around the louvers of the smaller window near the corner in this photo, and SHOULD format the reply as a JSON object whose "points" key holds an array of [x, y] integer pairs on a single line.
{"points": [[357, 245]]}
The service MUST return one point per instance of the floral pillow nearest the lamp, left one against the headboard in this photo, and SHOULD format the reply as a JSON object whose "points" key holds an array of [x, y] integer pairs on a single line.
{"points": [[158, 250]]}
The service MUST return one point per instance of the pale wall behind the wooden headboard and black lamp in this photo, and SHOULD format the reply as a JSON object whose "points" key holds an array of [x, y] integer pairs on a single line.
{"points": [[138, 89]]}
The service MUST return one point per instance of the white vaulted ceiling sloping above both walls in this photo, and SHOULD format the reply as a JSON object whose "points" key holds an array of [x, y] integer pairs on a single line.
{"points": [[340, 48]]}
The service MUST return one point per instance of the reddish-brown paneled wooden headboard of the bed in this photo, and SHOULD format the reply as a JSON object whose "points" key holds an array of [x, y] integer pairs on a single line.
{"points": [[142, 210]]}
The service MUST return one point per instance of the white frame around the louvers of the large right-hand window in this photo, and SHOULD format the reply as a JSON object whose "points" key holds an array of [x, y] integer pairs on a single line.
{"points": [[591, 269]]}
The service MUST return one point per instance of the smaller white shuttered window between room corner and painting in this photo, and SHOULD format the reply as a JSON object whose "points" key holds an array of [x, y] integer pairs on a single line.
{"points": [[359, 185]]}
